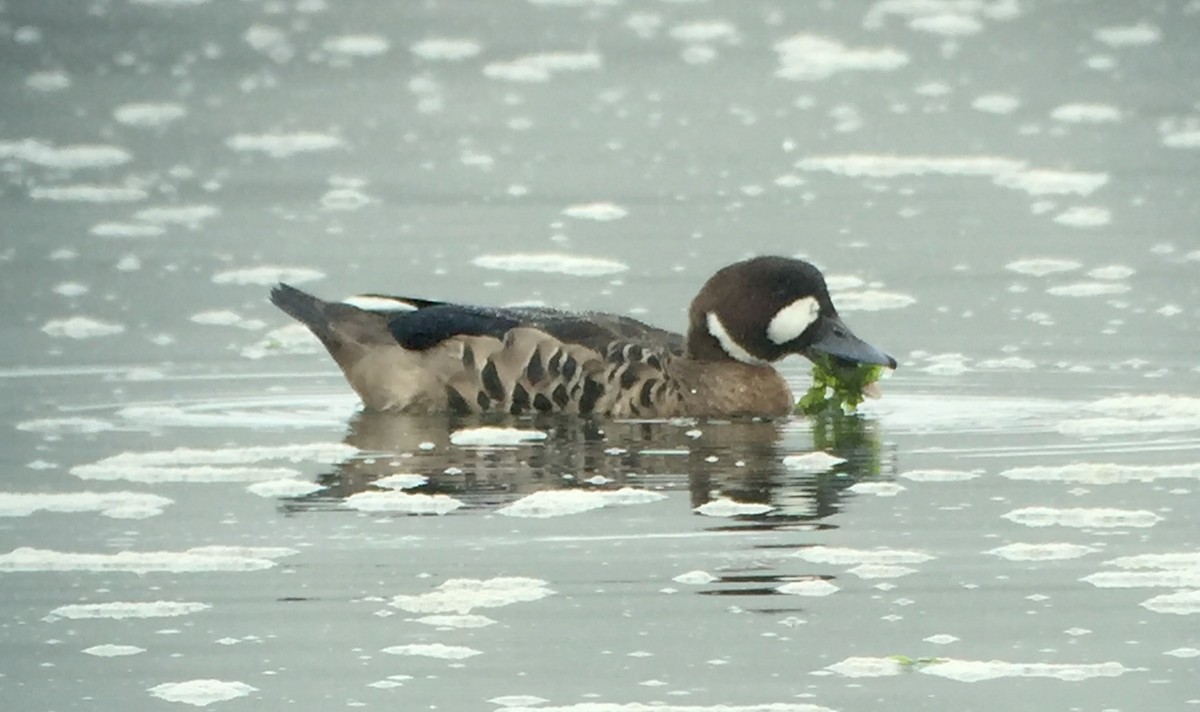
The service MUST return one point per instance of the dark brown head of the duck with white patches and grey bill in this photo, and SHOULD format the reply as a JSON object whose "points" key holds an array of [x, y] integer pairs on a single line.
{"points": [[767, 308]]}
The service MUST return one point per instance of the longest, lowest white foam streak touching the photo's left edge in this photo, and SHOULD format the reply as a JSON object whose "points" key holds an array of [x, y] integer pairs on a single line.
{"points": [[203, 559]]}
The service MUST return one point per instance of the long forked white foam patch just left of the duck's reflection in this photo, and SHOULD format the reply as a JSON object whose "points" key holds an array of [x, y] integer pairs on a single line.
{"points": [[220, 465]]}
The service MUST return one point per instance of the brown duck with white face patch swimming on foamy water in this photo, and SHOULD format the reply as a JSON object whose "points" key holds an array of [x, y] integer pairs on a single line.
{"points": [[422, 357]]}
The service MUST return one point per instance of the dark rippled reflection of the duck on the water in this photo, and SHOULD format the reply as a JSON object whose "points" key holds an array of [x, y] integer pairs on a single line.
{"points": [[740, 460]]}
